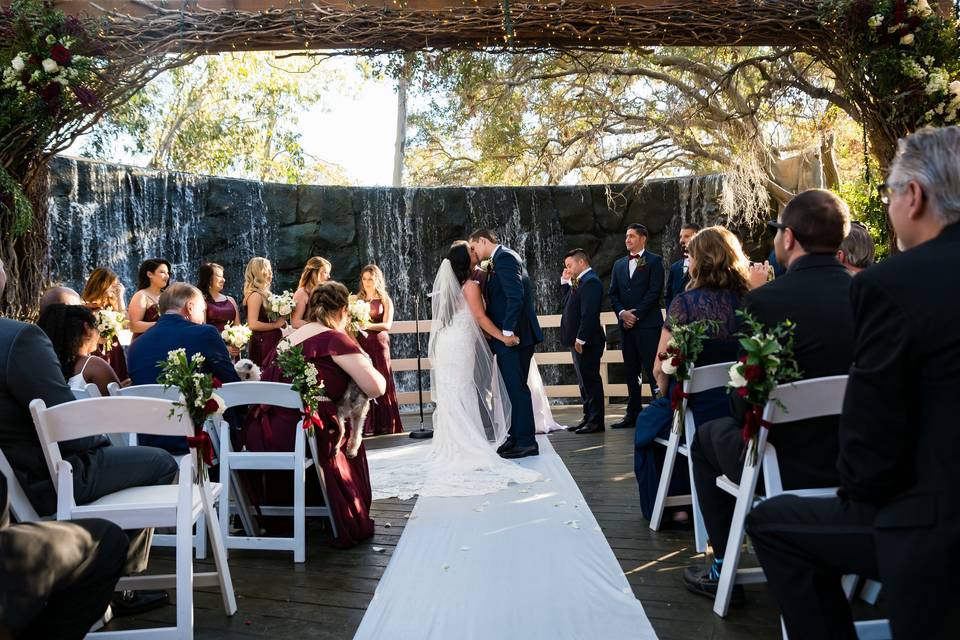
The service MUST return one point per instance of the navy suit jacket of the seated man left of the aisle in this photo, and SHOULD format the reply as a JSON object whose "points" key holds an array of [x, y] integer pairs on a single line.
{"points": [[173, 331]]}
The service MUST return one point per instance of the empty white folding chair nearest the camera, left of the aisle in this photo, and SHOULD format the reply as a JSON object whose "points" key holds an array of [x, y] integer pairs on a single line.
{"points": [[177, 505]]}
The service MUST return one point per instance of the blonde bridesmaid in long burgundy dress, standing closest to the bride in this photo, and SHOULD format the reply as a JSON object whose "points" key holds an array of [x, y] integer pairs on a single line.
{"points": [[384, 416]]}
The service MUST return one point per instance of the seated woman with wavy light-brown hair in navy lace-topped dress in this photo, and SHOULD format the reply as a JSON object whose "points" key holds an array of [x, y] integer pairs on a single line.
{"points": [[719, 279]]}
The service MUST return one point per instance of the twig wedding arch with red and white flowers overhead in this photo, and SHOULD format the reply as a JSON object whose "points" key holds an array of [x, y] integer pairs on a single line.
{"points": [[65, 63]]}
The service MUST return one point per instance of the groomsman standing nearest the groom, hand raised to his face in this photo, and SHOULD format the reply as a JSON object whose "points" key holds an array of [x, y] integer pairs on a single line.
{"points": [[581, 332]]}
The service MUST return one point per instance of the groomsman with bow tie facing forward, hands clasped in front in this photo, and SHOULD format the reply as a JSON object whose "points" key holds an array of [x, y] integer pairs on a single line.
{"points": [[635, 287]]}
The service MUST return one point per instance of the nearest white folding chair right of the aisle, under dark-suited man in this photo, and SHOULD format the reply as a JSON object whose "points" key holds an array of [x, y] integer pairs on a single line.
{"points": [[814, 398]]}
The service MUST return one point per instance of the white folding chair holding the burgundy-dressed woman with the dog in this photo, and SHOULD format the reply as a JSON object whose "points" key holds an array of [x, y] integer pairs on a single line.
{"points": [[274, 394]]}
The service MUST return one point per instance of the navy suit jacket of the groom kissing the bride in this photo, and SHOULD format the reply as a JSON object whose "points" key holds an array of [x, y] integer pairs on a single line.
{"points": [[510, 298]]}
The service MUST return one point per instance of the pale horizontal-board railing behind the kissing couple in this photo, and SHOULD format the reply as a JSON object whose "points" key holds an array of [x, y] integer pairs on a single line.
{"points": [[547, 358]]}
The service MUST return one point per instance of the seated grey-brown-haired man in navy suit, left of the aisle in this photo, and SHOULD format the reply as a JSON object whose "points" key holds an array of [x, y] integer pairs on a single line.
{"points": [[181, 325]]}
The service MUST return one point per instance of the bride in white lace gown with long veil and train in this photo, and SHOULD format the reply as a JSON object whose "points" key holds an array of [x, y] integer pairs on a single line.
{"points": [[472, 411]]}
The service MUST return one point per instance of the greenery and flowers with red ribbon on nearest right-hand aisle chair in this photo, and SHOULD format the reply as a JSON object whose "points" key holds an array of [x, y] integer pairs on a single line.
{"points": [[768, 361]]}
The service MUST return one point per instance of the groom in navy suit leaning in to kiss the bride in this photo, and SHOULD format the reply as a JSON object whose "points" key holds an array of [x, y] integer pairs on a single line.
{"points": [[510, 307]]}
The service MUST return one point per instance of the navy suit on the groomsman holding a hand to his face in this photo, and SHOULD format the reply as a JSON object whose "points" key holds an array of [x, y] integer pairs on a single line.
{"points": [[581, 321]]}
